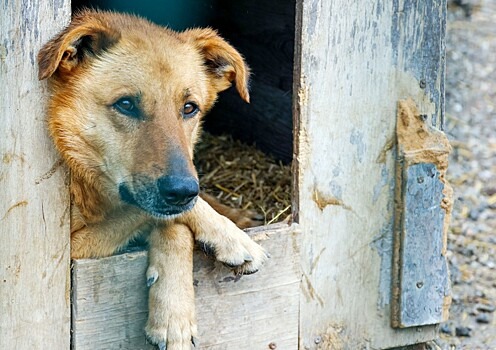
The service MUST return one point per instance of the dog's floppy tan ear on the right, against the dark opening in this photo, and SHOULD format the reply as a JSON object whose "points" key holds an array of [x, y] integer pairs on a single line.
{"points": [[224, 64]]}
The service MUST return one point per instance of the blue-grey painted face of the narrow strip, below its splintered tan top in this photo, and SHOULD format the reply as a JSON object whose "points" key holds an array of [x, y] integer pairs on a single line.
{"points": [[423, 273]]}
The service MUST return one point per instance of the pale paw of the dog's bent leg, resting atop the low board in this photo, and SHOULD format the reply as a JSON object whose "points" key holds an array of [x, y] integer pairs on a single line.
{"points": [[238, 252]]}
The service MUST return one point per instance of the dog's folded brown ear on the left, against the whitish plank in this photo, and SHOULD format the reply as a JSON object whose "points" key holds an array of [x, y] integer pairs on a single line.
{"points": [[87, 35]]}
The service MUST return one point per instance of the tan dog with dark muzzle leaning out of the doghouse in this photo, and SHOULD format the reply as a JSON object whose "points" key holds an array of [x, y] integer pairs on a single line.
{"points": [[125, 108]]}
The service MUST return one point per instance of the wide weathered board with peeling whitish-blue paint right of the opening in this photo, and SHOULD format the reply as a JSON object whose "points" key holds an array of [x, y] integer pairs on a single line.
{"points": [[353, 61]]}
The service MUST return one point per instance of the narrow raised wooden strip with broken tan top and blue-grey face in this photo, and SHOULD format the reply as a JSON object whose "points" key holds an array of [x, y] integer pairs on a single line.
{"points": [[424, 200]]}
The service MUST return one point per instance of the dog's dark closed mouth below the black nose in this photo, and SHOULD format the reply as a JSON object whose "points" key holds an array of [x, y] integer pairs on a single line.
{"points": [[149, 200]]}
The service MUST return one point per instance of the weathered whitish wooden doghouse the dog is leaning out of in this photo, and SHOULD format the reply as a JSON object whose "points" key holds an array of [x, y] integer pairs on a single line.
{"points": [[361, 267]]}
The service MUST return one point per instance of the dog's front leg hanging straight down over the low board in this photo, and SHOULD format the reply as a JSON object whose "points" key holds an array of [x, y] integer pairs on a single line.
{"points": [[171, 321]]}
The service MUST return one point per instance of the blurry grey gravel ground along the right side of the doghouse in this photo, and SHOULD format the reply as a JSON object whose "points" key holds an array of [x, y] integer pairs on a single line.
{"points": [[471, 127]]}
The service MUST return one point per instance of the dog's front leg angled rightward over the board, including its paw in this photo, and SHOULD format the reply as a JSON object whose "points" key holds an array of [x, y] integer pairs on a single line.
{"points": [[219, 235]]}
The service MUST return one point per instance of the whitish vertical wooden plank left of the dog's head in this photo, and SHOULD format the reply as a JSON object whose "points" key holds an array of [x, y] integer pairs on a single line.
{"points": [[34, 205]]}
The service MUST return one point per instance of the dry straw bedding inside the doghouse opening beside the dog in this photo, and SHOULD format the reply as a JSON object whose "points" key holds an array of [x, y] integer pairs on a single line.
{"points": [[243, 177]]}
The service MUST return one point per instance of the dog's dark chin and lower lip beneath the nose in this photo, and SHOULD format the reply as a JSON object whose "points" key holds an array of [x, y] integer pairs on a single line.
{"points": [[160, 210]]}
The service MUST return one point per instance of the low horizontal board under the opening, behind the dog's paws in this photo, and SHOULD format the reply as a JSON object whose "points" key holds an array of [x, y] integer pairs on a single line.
{"points": [[233, 313]]}
